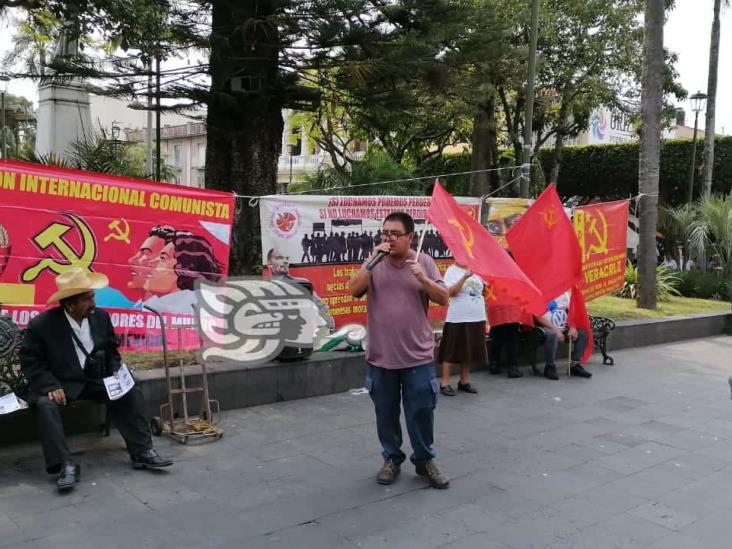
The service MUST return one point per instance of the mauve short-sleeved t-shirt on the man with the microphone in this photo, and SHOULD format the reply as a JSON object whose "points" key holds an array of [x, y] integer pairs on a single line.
{"points": [[398, 331]]}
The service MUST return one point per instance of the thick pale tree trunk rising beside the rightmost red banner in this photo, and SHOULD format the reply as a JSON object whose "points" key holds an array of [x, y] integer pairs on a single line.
{"points": [[650, 151]]}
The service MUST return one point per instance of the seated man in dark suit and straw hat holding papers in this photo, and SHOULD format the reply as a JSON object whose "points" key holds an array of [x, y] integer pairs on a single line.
{"points": [[65, 354]]}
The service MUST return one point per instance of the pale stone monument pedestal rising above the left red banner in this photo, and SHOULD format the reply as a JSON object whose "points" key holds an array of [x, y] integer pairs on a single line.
{"points": [[63, 116]]}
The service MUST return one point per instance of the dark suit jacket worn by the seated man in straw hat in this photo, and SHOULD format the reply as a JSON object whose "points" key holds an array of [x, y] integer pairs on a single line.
{"points": [[48, 356]]}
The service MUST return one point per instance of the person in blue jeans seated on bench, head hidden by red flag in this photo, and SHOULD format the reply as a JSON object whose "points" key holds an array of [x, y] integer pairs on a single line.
{"points": [[555, 325]]}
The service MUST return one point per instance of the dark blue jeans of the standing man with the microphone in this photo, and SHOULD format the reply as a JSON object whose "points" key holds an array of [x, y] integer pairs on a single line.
{"points": [[417, 389]]}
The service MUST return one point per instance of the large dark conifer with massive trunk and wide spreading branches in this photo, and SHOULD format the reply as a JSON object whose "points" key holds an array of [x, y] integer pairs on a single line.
{"points": [[258, 53]]}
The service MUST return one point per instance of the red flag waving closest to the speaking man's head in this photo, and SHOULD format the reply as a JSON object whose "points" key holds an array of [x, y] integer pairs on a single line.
{"points": [[472, 245]]}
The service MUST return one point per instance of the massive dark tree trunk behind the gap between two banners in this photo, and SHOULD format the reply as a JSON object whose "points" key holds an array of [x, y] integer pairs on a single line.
{"points": [[244, 127]]}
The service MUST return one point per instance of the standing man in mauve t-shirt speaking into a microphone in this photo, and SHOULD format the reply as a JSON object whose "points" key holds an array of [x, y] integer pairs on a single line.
{"points": [[399, 283]]}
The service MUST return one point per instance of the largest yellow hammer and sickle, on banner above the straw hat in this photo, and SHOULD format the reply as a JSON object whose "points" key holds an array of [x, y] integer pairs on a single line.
{"points": [[53, 235]]}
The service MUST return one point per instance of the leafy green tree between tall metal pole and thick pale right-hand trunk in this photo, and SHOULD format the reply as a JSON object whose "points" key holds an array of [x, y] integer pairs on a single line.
{"points": [[601, 68]]}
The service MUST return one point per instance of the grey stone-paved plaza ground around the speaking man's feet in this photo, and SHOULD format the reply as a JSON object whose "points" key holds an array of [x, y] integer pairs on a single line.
{"points": [[638, 456]]}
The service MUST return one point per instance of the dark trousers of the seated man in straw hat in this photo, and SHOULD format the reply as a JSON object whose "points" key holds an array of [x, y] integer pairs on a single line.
{"points": [[127, 414]]}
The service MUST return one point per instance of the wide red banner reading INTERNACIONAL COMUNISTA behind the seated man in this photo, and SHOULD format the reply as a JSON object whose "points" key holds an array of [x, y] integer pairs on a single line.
{"points": [[152, 240]]}
